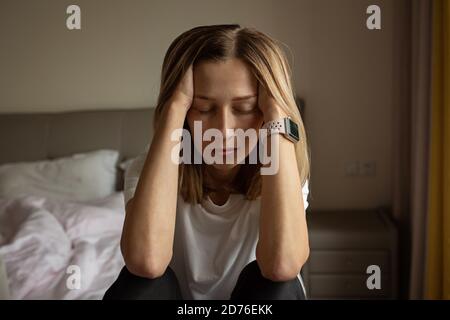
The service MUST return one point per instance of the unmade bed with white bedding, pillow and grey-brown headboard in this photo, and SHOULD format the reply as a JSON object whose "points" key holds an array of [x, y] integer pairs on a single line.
{"points": [[61, 199]]}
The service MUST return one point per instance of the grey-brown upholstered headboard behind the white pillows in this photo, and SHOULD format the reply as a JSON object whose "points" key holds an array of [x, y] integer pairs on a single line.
{"points": [[39, 136]]}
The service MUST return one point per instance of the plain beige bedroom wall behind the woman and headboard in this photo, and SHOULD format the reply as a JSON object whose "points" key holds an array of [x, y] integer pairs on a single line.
{"points": [[342, 70]]}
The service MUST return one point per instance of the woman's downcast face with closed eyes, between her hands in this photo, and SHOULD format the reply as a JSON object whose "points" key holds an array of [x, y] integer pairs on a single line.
{"points": [[225, 97]]}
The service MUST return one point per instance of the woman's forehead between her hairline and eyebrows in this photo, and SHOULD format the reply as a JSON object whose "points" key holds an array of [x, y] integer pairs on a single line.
{"points": [[227, 78]]}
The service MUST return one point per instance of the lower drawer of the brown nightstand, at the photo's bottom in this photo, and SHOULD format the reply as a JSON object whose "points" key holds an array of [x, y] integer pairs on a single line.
{"points": [[346, 287]]}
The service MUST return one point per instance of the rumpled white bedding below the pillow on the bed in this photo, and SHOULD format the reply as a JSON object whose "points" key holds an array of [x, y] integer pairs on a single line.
{"points": [[41, 237]]}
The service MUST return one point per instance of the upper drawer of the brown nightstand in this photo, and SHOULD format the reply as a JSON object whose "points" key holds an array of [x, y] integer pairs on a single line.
{"points": [[348, 261]]}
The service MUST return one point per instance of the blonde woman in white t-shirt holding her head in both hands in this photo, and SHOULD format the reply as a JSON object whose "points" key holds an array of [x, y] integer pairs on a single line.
{"points": [[218, 230]]}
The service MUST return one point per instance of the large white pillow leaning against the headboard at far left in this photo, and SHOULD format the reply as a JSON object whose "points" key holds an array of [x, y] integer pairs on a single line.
{"points": [[80, 177]]}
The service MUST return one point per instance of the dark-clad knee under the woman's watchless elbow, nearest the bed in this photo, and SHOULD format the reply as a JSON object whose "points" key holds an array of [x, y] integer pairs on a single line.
{"points": [[133, 287]]}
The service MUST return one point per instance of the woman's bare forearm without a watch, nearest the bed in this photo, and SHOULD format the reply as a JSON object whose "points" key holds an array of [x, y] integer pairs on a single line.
{"points": [[148, 233]]}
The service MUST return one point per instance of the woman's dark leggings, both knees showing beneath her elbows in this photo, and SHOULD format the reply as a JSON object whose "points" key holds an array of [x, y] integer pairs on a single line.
{"points": [[251, 285]]}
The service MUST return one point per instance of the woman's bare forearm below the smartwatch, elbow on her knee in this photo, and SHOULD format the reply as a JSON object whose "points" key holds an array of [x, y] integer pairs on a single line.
{"points": [[283, 239]]}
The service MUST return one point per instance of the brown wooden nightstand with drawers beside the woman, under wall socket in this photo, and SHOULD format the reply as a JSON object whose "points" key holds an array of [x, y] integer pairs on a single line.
{"points": [[343, 244]]}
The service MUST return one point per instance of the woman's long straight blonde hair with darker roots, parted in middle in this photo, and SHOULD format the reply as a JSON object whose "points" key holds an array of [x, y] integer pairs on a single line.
{"points": [[268, 64]]}
